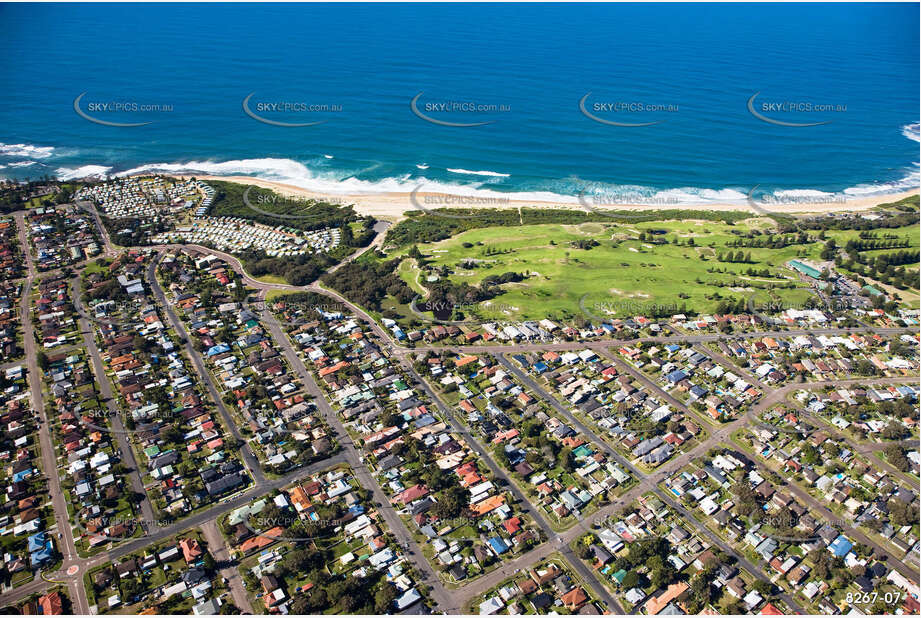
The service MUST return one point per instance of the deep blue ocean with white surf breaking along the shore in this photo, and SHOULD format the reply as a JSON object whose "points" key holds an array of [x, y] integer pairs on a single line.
{"points": [[689, 69]]}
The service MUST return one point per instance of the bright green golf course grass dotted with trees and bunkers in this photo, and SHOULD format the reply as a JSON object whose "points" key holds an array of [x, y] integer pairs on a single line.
{"points": [[622, 275]]}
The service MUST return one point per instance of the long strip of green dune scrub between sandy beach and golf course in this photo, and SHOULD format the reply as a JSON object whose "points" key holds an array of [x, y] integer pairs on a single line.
{"points": [[421, 227]]}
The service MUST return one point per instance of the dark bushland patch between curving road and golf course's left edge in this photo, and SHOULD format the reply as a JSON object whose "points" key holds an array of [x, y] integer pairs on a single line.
{"points": [[368, 281]]}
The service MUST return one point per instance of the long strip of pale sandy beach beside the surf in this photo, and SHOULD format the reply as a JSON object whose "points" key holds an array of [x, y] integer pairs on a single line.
{"points": [[392, 206]]}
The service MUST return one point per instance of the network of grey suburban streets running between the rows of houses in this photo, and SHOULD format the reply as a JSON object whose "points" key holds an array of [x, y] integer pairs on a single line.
{"points": [[448, 599]]}
